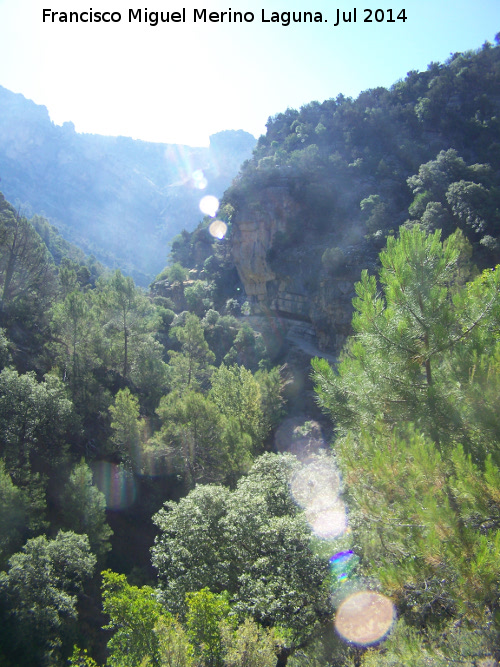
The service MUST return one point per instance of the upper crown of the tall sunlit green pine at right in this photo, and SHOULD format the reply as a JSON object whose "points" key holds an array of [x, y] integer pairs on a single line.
{"points": [[398, 365]]}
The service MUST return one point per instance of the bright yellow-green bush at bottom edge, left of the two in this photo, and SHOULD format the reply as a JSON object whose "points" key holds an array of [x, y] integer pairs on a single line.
{"points": [[133, 614]]}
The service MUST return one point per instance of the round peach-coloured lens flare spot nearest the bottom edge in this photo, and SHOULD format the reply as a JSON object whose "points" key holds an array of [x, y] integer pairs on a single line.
{"points": [[365, 618]]}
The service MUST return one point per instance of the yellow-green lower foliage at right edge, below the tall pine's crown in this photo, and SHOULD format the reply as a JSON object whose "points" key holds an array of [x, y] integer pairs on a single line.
{"points": [[430, 547]]}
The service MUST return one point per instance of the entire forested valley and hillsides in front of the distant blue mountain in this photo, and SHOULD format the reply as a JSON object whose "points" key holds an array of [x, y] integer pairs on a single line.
{"points": [[163, 503]]}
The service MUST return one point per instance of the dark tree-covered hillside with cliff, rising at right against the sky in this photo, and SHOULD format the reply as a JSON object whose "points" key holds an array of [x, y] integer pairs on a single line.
{"points": [[328, 182]]}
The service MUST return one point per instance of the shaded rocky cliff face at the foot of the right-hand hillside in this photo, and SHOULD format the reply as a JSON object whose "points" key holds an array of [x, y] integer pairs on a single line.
{"points": [[288, 280]]}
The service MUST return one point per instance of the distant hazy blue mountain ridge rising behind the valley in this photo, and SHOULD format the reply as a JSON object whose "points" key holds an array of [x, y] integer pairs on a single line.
{"points": [[120, 199]]}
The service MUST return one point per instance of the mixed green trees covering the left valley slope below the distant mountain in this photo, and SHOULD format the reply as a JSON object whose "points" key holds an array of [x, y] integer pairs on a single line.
{"points": [[101, 382]]}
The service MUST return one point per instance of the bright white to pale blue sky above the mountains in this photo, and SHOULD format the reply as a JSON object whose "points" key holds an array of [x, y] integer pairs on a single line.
{"points": [[180, 82]]}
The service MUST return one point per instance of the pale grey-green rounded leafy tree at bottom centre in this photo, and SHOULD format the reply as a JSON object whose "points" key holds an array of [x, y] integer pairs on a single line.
{"points": [[235, 541]]}
